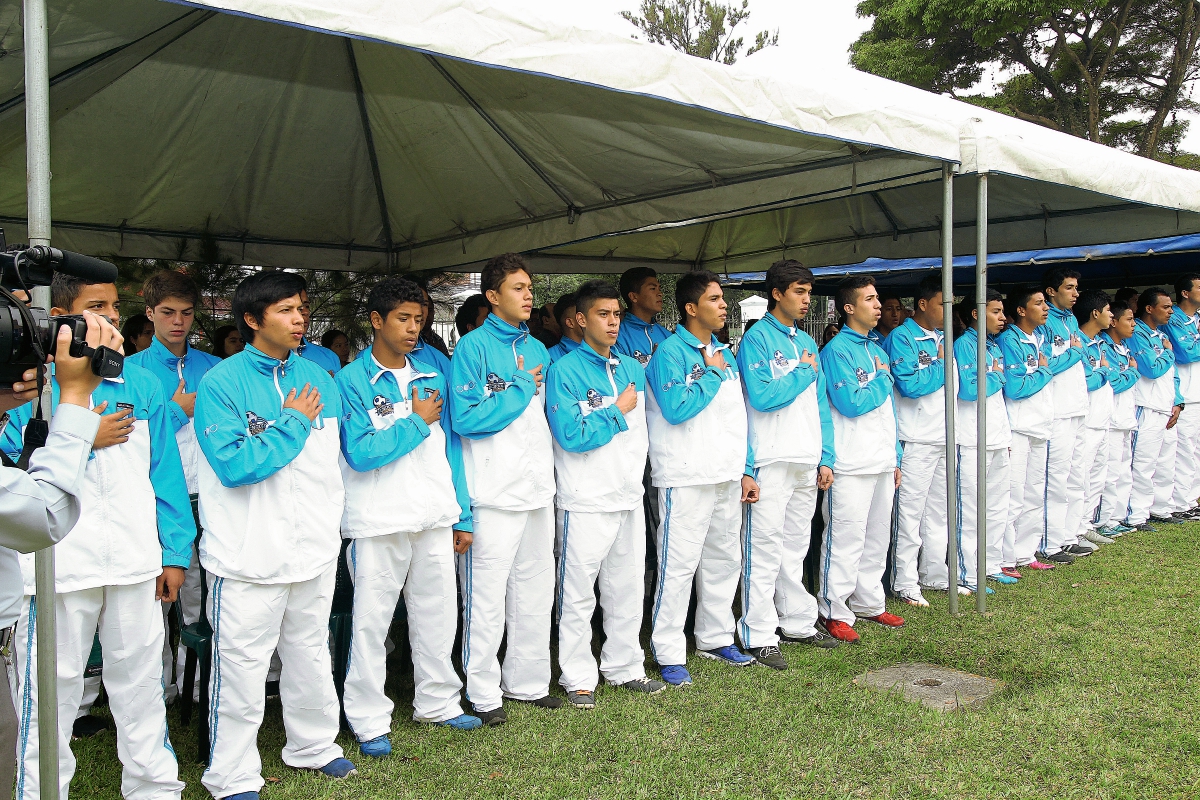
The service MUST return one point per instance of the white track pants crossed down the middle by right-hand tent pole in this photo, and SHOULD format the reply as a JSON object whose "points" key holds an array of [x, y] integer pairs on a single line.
{"points": [[998, 485]]}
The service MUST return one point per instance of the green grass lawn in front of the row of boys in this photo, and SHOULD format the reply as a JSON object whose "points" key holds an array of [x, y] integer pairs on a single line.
{"points": [[1102, 700]]}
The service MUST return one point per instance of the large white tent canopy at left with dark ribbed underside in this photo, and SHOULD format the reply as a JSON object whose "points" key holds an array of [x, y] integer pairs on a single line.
{"points": [[359, 135]]}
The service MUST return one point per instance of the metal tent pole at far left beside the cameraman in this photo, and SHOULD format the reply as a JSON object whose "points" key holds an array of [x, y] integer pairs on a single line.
{"points": [[38, 177]]}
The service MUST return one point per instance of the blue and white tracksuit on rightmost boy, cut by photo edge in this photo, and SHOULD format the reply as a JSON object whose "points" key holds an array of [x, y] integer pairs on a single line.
{"points": [[1184, 330]]}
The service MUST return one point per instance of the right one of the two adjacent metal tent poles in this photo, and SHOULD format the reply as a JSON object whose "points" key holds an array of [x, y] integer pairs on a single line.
{"points": [[982, 396]]}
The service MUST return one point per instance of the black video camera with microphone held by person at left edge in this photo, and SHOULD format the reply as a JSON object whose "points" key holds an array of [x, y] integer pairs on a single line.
{"points": [[28, 335]]}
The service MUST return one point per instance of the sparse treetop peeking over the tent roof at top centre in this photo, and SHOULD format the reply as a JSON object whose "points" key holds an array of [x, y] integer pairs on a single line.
{"points": [[699, 28]]}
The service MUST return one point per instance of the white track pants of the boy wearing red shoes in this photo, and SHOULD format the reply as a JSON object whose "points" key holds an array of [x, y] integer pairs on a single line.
{"points": [[855, 548]]}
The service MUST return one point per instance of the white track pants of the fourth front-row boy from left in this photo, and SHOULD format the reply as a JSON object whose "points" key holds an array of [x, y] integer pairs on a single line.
{"points": [[508, 582]]}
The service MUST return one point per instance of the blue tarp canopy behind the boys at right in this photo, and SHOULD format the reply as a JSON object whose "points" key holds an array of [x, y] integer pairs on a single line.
{"points": [[1139, 264]]}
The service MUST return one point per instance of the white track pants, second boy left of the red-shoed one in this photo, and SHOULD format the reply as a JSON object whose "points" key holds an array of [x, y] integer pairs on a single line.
{"points": [[698, 539]]}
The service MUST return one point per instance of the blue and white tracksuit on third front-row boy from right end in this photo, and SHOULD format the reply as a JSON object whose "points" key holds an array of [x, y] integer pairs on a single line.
{"points": [[1119, 477]]}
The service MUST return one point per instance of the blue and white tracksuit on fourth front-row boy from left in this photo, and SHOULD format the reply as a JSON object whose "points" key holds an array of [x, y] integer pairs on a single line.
{"points": [[508, 575]]}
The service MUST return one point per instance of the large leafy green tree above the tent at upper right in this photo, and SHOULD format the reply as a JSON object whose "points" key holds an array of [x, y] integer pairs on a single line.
{"points": [[1112, 71]]}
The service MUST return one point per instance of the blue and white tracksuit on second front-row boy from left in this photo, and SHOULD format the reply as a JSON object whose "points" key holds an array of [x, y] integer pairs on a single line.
{"points": [[272, 501]]}
